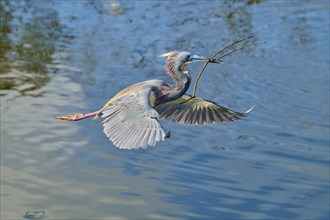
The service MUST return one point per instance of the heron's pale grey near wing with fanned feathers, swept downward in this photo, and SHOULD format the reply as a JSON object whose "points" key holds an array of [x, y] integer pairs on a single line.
{"points": [[131, 122]]}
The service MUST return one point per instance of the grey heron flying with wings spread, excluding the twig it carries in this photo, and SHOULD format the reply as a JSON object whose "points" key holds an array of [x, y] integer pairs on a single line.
{"points": [[132, 116]]}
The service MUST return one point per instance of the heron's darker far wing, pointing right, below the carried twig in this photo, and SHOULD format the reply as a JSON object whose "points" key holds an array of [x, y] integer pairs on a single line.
{"points": [[188, 110]]}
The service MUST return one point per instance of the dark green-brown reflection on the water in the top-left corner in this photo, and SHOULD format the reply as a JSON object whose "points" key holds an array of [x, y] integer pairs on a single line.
{"points": [[30, 36]]}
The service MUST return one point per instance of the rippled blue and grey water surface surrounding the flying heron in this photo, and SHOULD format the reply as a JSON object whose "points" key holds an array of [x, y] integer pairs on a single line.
{"points": [[60, 57]]}
